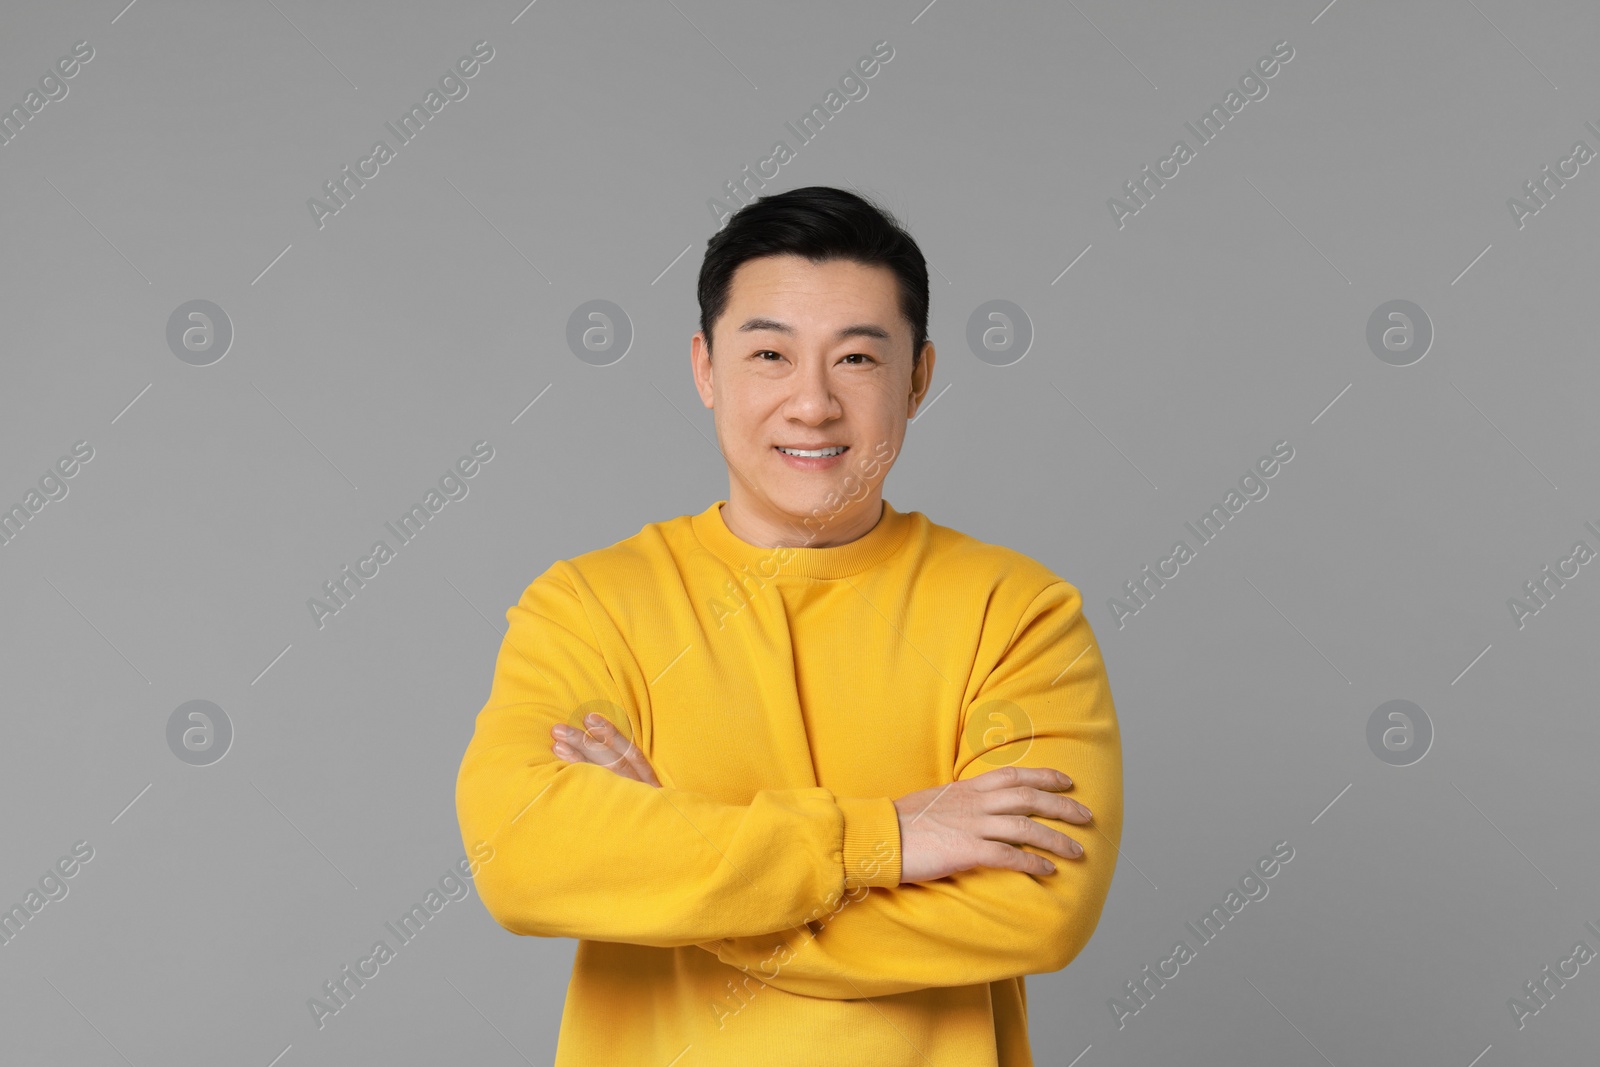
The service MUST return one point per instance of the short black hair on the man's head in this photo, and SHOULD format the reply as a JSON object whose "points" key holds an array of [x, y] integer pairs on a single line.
{"points": [[820, 223]]}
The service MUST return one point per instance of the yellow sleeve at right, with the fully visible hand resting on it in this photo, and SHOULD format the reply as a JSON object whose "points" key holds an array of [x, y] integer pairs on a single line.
{"points": [[1046, 703]]}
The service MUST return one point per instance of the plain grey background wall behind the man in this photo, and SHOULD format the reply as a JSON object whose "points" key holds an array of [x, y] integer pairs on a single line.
{"points": [[370, 354]]}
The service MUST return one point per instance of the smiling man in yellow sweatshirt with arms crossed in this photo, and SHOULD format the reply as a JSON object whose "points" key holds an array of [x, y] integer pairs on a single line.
{"points": [[810, 820]]}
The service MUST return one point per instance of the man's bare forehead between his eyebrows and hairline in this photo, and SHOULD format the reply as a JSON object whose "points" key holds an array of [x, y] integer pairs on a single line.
{"points": [[806, 295]]}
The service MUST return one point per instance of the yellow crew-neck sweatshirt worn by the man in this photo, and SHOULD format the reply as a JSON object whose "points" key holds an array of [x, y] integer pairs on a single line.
{"points": [[750, 911]]}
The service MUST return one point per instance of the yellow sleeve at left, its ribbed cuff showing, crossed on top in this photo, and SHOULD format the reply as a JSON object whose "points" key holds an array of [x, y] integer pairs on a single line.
{"points": [[580, 852]]}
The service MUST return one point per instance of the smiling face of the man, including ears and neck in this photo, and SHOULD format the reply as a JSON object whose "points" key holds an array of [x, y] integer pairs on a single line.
{"points": [[810, 356]]}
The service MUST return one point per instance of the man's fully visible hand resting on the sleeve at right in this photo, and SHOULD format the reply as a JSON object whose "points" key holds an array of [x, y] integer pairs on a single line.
{"points": [[966, 825]]}
